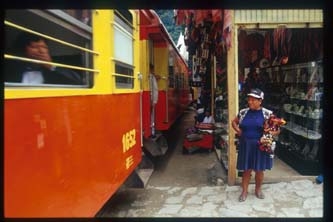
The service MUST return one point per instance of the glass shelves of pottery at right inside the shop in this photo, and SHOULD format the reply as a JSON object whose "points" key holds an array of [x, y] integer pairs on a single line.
{"points": [[300, 103]]}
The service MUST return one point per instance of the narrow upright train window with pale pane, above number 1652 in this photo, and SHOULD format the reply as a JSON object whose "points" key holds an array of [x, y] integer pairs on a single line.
{"points": [[124, 49]]}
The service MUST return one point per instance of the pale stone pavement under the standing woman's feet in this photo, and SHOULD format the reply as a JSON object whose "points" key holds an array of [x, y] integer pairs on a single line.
{"points": [[294, 199]]}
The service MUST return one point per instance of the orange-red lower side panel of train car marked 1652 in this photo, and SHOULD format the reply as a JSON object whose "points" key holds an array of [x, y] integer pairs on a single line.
{"points": [[68, 154]]}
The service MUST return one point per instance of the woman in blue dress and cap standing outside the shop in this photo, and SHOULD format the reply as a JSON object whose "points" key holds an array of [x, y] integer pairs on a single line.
{"points": [[248, 125]]}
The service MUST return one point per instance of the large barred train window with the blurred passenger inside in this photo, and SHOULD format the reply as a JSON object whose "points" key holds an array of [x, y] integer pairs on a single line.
{"points": [[47, 48]]}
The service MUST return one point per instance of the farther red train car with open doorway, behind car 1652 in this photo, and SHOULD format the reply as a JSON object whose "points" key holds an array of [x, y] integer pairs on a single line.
{"points": [[171, 74]]}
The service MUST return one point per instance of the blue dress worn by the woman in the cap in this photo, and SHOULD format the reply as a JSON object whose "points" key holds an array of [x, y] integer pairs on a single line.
{"points": [[249, 154]]}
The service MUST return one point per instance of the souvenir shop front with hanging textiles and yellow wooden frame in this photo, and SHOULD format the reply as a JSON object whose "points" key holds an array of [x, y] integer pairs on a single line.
{"points": [[283, 49]]}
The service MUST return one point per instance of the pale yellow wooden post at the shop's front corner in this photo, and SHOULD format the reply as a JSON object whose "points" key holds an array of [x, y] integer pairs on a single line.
{"points": [[232, 74]]}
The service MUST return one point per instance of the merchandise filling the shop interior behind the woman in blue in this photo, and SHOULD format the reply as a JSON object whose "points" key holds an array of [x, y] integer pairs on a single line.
{"points": [[286, 63]]}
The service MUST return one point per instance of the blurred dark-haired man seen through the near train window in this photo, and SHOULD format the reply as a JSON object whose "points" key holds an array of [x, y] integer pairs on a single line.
{"points": [[35, 47]]}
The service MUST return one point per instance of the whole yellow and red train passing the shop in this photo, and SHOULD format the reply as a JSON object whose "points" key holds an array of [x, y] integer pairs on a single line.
{"points": [[68, 148]]}
